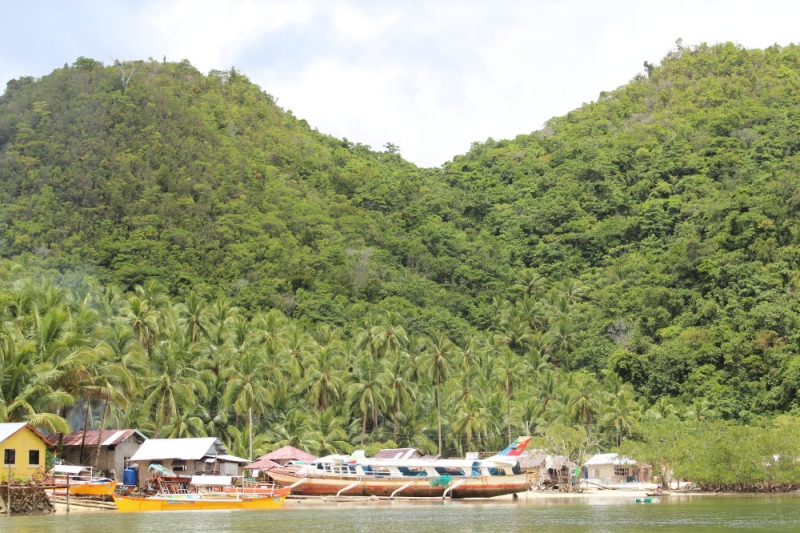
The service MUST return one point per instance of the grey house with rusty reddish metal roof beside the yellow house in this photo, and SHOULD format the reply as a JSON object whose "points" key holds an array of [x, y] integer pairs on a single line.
{"points": [[117, 446]]}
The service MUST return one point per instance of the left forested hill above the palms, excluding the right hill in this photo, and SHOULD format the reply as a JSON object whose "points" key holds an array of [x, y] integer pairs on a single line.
{"points": [[203, 182]]}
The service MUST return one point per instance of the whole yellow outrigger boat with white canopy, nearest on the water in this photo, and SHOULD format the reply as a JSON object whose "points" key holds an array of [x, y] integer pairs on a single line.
{"points": [[210, 493]]}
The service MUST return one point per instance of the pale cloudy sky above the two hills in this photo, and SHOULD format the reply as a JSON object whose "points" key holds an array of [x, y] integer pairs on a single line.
{"points": [[430, 77]]}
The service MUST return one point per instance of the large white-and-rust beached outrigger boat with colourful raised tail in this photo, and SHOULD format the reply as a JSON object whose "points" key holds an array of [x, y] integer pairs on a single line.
{"points": [[405, 473]]}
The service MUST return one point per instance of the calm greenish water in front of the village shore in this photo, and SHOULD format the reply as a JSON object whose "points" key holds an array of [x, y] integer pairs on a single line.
{"points": [[685, 514]]}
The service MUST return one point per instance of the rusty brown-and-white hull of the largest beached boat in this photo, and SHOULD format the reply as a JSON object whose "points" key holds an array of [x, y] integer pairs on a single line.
{"points": [[478, 487]]}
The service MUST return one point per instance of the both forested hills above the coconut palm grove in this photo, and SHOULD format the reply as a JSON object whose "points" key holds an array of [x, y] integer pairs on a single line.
{"points": [[653, 232]]}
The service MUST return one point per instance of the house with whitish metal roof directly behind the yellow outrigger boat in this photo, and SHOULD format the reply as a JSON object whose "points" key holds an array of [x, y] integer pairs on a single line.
{"points": [[186, 457]]}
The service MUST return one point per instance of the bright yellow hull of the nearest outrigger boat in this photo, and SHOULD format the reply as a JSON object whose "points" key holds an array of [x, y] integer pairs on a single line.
{"points": [[196, 502]]}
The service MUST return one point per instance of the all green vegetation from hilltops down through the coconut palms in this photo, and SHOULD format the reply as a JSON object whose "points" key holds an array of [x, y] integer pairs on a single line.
{"points": [[179, 250]]}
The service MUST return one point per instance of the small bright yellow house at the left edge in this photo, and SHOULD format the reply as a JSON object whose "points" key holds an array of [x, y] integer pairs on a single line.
{"points": [[23, 449]]}
